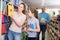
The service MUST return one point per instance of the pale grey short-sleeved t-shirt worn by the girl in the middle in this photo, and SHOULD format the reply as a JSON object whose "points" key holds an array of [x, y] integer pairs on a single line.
{"points": [[32, 22]]}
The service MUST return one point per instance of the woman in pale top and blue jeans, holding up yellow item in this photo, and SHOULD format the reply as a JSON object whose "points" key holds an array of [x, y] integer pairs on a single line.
{"points": [[18, 19]]}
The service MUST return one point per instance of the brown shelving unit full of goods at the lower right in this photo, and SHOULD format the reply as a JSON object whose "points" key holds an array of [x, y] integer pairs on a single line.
{"points": [[54, 30]]}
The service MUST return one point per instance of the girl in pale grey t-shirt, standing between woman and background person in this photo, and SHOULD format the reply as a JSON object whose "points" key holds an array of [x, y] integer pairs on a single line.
{"points": [[33, 25]]}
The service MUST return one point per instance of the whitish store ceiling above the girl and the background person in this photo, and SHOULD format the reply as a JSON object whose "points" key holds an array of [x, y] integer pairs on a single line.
{"points": [[39, 3]]}
